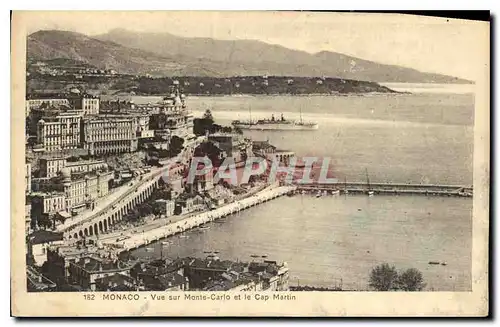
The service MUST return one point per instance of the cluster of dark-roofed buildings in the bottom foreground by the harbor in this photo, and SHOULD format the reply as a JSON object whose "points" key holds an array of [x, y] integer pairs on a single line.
{"points": [[85, 268]]}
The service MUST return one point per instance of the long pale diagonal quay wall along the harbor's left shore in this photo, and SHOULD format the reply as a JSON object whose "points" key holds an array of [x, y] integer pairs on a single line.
{"points": [[137, 240]]}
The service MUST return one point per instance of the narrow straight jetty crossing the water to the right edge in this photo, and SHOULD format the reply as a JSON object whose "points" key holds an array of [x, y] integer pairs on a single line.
{"points": [[390, 189]]}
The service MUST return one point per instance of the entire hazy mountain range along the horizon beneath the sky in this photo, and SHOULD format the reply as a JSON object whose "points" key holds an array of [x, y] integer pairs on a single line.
{"points": [[164, 54]]}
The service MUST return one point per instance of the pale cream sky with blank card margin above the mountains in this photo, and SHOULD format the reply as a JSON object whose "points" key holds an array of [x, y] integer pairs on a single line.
{"points": [[438, 45]]}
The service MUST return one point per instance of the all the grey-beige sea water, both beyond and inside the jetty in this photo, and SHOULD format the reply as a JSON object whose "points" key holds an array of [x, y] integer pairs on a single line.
{"points": [[425, 136]]}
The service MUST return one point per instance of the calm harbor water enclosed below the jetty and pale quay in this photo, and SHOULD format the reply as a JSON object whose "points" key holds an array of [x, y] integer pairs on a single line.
{"points": [[354, 231]]}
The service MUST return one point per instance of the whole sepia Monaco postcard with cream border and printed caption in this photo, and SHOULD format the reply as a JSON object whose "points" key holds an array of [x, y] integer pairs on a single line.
{"points": [[212, 163]]}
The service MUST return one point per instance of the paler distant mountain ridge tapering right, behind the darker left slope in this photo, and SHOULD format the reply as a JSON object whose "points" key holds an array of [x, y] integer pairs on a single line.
{"points": [[249, 57]]}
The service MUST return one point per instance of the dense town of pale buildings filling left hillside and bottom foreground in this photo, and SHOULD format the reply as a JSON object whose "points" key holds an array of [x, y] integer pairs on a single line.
{"points": [[63, 187]]}
